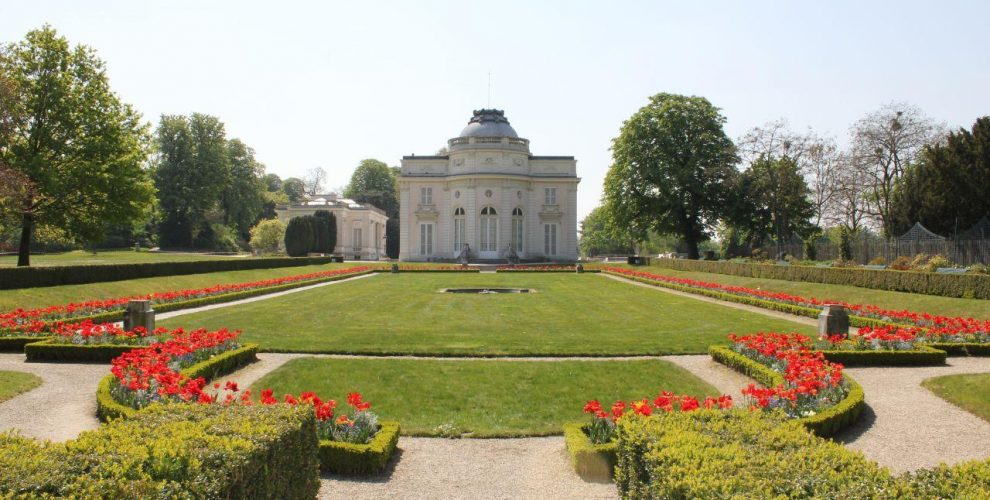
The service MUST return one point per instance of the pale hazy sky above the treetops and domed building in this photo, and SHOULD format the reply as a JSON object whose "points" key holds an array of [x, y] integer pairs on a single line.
{"points": [[331, 83]]}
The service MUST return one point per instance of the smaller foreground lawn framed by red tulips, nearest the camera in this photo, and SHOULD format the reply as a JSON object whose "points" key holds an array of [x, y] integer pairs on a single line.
{"points": [[485, 398]]}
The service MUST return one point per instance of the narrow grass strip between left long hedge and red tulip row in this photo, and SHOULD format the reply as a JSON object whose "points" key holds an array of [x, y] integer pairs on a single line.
{"points": [[29, 298]]}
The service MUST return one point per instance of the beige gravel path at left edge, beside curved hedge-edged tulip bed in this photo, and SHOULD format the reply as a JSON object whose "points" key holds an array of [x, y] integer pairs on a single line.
{"points": [[61, 407]]}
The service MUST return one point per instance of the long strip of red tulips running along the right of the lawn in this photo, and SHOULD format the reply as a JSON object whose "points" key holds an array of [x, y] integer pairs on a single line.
{"points": [[936, 329]]}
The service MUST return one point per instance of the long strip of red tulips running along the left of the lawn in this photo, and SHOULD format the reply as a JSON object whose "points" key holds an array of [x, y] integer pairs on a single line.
{"points": [[41, 322]]}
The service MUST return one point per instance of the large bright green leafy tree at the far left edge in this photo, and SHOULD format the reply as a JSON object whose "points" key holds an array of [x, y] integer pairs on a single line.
{"points": [[81, 148]]}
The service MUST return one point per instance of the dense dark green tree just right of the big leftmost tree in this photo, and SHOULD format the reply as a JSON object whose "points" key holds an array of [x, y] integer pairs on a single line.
{"points": [[193, 170]]}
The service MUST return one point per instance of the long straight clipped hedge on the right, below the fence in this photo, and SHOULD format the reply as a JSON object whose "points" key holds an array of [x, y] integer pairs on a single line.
{"points": [[947, 285]]}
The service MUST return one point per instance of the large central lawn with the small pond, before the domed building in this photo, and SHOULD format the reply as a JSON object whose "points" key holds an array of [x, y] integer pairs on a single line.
{"points": [[569, 314]]}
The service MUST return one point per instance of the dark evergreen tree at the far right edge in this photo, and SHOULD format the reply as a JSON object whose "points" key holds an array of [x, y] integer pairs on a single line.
{"points": [[947, 189]]}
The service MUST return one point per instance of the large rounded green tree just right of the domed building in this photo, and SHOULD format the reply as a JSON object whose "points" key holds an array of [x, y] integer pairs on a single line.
{"points": [[670, 168]]}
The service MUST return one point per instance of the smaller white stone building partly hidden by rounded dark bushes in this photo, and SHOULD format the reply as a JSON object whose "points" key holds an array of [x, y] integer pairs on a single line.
{"points": [[360, 226]]}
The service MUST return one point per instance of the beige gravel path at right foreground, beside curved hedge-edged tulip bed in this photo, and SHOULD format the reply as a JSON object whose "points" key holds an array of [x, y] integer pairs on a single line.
{"points": [[907, 427]]}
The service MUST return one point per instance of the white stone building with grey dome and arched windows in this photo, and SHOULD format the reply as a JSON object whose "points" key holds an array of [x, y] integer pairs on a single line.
{"points": [[488, 195]]}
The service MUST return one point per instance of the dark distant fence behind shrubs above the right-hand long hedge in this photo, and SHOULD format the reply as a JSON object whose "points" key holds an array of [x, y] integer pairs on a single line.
{"points": [[964, 252]]}
